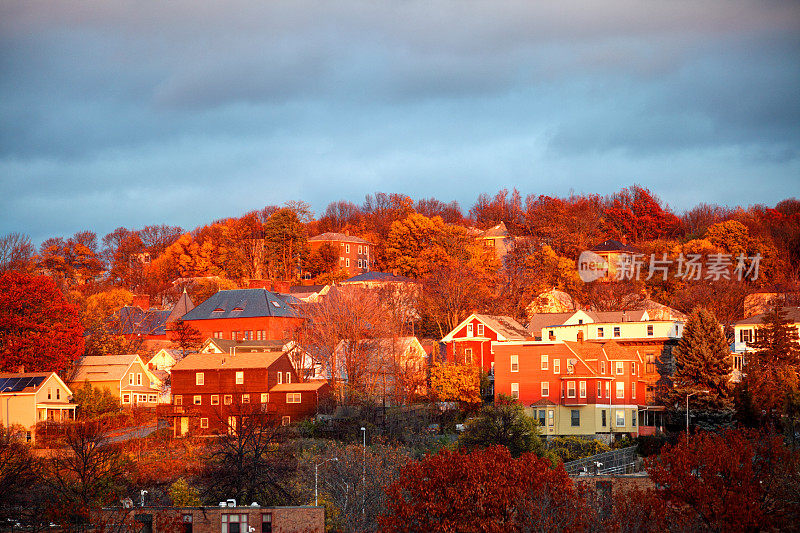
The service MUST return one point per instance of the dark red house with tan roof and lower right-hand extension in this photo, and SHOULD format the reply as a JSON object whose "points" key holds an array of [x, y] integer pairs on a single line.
{"points": [[211, 392]]}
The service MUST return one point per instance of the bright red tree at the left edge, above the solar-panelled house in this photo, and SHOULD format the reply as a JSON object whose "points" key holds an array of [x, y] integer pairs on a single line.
{"points": [[38, 328]]}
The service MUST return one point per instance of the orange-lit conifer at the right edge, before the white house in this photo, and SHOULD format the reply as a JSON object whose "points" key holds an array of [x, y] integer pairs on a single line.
{"points": [[773, 366]]}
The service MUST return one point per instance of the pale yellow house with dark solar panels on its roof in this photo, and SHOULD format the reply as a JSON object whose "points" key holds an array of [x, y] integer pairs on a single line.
{"points": [[29, 398]]}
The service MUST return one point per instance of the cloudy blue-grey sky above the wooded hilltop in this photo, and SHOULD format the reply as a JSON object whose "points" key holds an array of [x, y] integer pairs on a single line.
{"points": [[182, 112]]}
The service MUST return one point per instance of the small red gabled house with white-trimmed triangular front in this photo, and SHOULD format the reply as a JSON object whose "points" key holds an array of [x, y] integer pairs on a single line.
{"points": [[472, 341]]}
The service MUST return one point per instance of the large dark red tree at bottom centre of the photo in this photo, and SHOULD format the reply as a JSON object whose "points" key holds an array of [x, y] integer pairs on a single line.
{"points": [[485, 490]]}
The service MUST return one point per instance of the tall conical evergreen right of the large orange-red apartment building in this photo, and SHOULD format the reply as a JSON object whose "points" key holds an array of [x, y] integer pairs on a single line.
{"points": [[702, 362]]}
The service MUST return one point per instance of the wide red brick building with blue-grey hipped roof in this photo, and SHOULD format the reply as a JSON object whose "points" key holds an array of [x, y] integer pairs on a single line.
{"points": [[244, 314]]}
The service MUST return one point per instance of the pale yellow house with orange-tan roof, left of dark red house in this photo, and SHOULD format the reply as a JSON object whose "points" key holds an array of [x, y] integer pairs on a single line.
{"points": [[126, 376]]}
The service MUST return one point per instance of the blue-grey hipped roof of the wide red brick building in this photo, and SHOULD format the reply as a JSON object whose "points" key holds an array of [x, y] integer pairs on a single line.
{"points": [[241, 303]]}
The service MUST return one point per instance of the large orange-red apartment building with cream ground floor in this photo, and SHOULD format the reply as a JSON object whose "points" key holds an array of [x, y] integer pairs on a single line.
{"points": [[574, 387]]}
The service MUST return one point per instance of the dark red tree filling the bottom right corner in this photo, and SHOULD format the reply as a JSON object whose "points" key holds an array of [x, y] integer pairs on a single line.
{"points": [[734, 481]]}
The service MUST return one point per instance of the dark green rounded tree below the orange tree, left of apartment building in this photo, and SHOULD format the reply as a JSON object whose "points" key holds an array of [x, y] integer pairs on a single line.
{"points": [[504, 423]]}
